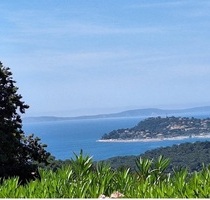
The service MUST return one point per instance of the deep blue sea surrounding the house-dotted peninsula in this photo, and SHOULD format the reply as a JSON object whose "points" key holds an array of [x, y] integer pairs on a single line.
{"points": [[66, 138]]}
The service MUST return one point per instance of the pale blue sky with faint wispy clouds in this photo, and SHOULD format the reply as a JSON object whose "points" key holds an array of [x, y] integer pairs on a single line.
{"points": [[84, 57]]}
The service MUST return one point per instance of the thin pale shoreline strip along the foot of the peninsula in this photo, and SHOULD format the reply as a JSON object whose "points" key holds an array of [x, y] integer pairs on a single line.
{"points": [[153, 139]]}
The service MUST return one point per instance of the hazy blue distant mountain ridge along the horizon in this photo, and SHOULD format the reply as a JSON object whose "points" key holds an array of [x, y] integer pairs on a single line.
{"points": [[148, 112]]}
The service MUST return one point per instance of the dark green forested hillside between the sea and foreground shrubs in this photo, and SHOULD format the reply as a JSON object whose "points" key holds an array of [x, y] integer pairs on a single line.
{"points": [[185, 155]]}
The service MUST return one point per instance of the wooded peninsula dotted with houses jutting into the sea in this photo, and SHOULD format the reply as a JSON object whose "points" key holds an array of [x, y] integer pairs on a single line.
{"points": [[158, 128]]}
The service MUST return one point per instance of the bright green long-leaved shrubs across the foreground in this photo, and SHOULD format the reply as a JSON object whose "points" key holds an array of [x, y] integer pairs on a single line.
{"points": [[83, 179]]}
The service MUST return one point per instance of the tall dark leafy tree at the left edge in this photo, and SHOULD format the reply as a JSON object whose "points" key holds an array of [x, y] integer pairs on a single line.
{"points": [[18, 153]]}
